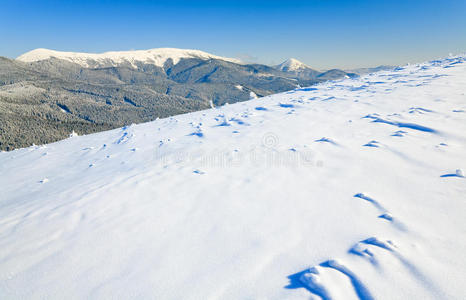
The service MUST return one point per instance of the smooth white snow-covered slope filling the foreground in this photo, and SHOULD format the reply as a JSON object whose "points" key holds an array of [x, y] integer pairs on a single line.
{"points": [[348, 190]]}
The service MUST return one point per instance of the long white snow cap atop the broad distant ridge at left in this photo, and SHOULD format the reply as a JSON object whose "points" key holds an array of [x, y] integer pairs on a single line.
{"points": [[156, 57]]}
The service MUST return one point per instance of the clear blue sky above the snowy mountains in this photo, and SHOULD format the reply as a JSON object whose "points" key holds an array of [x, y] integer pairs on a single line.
{"points": [[321, 33]]}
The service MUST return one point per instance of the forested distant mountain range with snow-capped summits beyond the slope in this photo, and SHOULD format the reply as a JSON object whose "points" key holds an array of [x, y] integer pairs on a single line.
{"points": [[46, 94]]}
